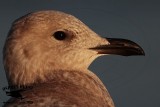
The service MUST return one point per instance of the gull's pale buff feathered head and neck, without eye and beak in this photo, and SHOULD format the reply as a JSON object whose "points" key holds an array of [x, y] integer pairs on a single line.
{"points": [[31, 52]]}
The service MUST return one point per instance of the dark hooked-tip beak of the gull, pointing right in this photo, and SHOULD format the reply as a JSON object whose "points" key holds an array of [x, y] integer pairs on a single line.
{"points": [[119, 47]]}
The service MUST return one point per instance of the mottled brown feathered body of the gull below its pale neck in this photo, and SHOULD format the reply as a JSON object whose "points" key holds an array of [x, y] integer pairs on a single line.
{"points": [[67, 91]]}
